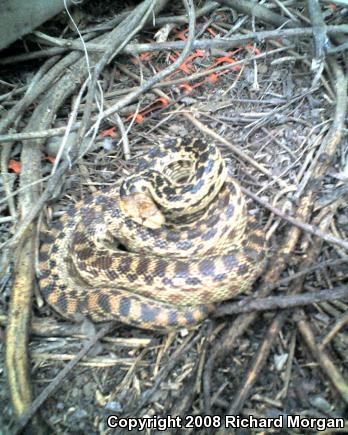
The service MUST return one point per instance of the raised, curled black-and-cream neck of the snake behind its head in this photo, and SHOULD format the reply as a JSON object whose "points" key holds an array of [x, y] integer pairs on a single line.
{"points": [[179, 182]]}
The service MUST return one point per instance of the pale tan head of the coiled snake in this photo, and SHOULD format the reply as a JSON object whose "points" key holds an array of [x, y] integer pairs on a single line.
{"points": [[141, 208]]}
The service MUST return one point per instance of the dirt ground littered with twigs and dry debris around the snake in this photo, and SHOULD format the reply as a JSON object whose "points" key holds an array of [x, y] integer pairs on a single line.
{"points": [[286, 122]]}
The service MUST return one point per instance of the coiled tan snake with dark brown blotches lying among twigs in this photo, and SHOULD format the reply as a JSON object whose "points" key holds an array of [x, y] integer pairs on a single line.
{"points": [[160, 248]]}
